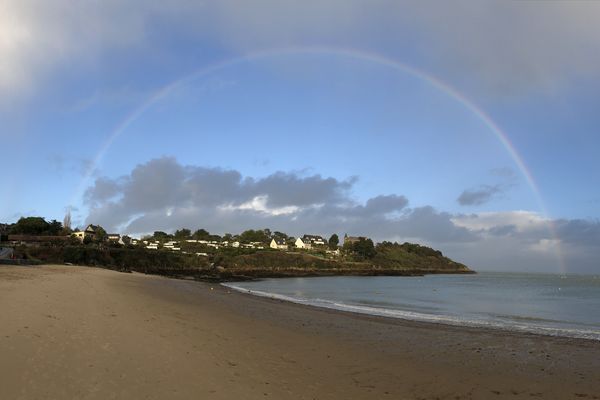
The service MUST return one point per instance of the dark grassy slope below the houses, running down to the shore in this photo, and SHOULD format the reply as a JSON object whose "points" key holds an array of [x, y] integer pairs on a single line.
{"points": [[231, 264]]}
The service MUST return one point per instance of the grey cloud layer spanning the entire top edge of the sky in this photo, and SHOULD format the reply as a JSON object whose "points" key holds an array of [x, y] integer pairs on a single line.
{"points": [[547, 45]]}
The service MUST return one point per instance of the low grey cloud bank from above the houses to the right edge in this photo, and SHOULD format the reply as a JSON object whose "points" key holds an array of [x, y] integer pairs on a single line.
{"points": [[164, 195]]}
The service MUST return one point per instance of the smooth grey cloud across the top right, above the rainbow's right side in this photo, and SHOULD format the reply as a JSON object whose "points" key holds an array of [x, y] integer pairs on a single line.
{"points": [[546, 45]]}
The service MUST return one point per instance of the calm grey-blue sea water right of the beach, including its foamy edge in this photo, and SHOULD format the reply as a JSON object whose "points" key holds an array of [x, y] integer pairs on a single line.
{"points": [[558, 305]]}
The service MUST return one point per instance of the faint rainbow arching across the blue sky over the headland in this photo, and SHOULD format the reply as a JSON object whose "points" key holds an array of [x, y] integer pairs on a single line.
{"points": [[341, 52]]}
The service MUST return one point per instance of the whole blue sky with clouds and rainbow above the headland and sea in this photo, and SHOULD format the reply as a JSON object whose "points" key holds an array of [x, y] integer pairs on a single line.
{"points": [[469, 126]]}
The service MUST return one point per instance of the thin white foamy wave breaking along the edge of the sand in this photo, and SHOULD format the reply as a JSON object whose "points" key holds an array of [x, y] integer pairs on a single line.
{"points": [[516, 325]]}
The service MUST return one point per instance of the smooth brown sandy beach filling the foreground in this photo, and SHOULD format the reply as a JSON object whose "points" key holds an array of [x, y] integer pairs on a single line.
{"points": [[86, 333]]}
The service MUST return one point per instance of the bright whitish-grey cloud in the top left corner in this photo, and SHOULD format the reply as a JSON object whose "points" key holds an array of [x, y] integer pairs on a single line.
{"points": [[38, 36]]}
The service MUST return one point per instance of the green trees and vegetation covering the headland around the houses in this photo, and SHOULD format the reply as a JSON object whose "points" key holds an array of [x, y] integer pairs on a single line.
{"points": [[203, 255]]}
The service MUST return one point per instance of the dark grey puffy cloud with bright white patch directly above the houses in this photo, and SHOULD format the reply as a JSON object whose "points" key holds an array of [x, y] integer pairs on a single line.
{"points": [[163, 194]]}
